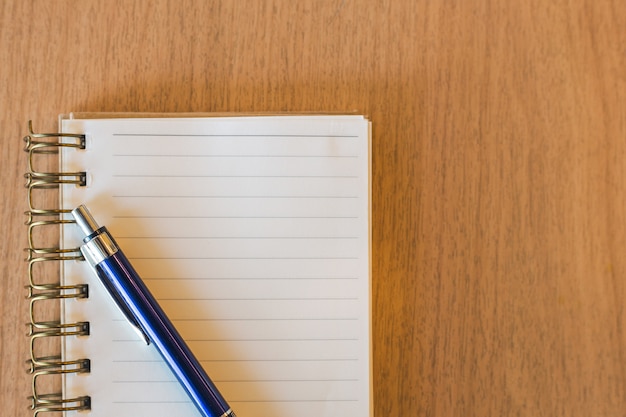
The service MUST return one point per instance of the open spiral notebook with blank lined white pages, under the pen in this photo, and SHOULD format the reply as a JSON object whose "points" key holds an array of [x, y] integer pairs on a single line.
{"points": [[253, 233]]}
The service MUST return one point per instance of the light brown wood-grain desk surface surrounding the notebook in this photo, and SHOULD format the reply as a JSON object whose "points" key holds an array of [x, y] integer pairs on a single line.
{"points": [[499, 170]]}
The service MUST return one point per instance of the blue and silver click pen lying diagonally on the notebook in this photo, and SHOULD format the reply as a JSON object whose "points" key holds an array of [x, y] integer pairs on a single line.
{"points": [[142, 310]]}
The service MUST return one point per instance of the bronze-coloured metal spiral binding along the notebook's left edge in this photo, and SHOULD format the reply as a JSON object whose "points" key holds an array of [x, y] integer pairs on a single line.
{"points": [[44, 287]]}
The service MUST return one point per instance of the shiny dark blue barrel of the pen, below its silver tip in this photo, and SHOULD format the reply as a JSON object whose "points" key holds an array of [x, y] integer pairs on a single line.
{"points": [[117, 273]]}
